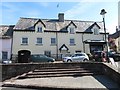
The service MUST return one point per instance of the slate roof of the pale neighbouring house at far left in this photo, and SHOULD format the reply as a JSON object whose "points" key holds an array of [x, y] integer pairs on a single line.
{"points": [[6, 31]]}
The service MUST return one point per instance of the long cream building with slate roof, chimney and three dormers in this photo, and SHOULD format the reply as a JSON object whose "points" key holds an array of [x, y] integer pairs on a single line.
{"points": [[57, 36]]}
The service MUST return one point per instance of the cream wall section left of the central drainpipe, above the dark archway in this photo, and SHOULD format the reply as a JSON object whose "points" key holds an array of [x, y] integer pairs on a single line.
{"points": [[32, 42]]}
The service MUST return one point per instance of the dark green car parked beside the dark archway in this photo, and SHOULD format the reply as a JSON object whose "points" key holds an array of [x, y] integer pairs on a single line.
{"points": [[41, 58]]}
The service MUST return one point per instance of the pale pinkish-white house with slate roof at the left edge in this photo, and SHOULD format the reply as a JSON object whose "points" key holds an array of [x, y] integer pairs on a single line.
{"points": [[6, 33]]}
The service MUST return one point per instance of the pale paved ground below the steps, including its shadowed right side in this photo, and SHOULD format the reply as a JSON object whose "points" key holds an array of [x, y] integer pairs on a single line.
{"points": [[96, 82]]}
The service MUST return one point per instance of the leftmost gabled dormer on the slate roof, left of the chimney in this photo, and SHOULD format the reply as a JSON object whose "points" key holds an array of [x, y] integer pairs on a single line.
{"points": [[39, 26]]}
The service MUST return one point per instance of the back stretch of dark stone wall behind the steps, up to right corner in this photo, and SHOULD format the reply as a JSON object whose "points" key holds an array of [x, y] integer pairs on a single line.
{"points": [[12, 70]]}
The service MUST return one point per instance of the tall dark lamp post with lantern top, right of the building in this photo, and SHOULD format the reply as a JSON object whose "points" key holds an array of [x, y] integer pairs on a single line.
{"points": [[103, 12]]}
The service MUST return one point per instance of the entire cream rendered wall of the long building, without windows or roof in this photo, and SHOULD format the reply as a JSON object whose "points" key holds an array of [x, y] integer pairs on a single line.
{"points": [[63, 38]]}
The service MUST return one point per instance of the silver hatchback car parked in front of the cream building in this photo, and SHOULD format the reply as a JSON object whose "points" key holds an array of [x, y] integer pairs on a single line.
{"points": [[78, 57]]}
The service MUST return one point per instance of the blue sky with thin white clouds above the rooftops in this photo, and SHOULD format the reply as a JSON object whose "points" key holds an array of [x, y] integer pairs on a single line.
{"points": [[85, 10]]}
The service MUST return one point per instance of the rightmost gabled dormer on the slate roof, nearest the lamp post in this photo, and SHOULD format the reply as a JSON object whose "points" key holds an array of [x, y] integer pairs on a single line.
{"points": [[94, 28]]}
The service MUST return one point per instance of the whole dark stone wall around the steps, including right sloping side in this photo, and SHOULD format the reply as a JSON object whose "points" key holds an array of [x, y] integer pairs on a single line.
{"points": [[12, 70]]}
